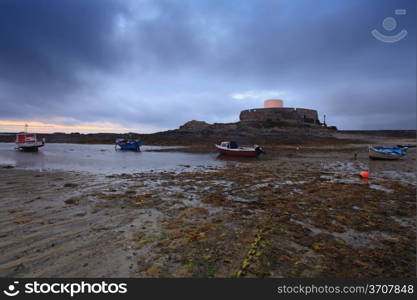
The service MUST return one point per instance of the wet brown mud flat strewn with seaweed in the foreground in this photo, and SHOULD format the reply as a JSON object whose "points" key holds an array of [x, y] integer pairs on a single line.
{"points": [[303, 213]]}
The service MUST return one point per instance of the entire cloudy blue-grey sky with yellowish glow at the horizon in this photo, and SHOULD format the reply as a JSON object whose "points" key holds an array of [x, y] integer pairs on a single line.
{"points": [[150, 65]]}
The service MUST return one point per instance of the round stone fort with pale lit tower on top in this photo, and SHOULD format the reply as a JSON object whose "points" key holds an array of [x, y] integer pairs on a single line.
{"points": [[274, 113]]}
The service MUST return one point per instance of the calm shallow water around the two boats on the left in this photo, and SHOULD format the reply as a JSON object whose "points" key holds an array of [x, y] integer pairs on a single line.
{"points": [[103, 159]]}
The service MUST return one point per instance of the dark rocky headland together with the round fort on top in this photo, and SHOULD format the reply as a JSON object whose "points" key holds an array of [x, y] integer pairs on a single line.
{"points": [[272, 124]]}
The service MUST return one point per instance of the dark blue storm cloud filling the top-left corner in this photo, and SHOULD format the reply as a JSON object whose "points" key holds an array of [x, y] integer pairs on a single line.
{"points": [[44, 43]]}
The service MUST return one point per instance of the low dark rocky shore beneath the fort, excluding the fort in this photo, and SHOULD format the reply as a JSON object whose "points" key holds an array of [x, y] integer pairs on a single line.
{"points": [[209, 134]]}
